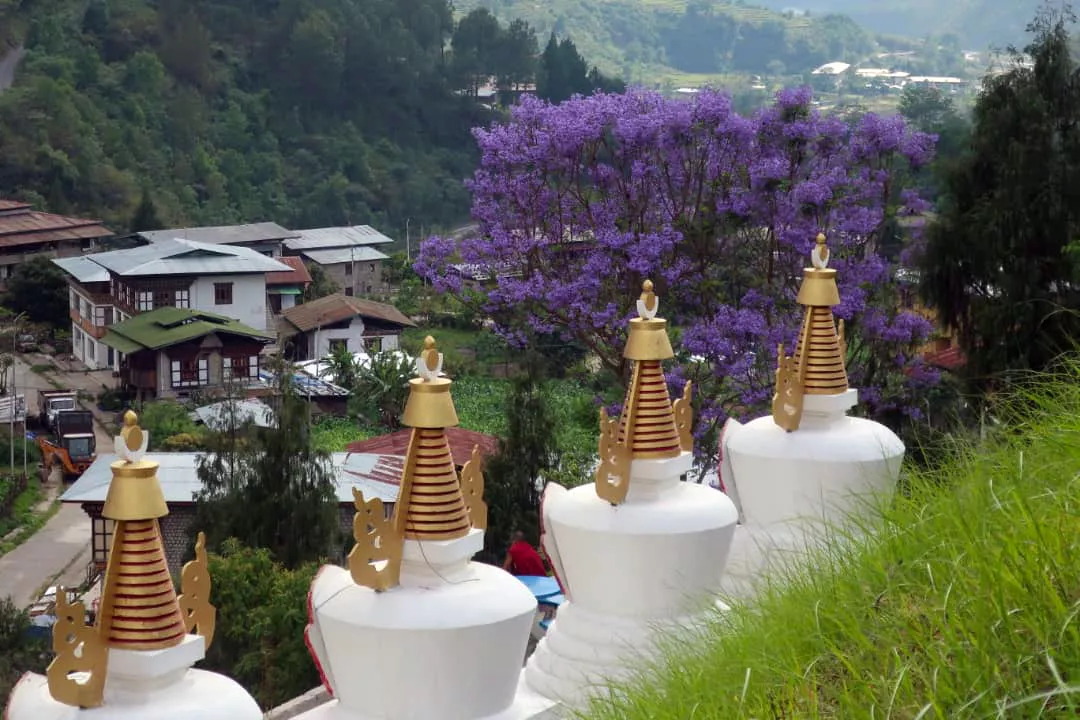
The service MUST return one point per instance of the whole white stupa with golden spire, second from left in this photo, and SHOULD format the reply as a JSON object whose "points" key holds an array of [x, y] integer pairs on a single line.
{"points": [[414, 630]]}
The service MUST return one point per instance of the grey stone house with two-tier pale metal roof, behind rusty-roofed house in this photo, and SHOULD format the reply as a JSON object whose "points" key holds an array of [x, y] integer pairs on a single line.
{"points": [[348, 256]]}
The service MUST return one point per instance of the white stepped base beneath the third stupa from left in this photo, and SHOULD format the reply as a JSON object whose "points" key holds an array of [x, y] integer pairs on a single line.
{"points": [[585, 653]]}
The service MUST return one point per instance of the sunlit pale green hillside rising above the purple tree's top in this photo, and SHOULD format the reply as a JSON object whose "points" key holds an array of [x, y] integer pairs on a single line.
{"points": [[646, 40]]}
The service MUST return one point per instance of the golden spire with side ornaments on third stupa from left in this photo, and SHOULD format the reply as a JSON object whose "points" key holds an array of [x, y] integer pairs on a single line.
{"points": [[651, 428]]}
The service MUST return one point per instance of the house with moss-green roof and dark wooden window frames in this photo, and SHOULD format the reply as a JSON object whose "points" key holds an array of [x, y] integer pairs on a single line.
{"points": [[173, 352]]}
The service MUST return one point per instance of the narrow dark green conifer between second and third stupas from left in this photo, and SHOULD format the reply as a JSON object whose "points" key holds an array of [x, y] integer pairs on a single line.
{"points": [[512, 477]]}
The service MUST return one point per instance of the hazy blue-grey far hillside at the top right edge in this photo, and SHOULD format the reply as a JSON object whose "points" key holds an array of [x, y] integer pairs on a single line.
{"points": [[978, 23]]}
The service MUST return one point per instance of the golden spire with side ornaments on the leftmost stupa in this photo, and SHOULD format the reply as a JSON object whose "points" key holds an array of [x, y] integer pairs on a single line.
{"points": [[139, 609]]}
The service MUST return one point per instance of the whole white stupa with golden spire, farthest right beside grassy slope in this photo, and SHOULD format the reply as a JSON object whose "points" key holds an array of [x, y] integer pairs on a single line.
{"points": [[809, 466]]}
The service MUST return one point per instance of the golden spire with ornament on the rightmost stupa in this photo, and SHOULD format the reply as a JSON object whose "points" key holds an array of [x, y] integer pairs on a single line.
{"points": [[818, 366]]}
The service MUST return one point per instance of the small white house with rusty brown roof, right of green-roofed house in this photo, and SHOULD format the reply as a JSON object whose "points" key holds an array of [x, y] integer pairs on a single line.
{"points": [[319, 328]]}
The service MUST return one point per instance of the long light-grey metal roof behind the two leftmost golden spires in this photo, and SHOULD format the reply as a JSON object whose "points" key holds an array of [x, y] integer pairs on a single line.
{"points": [[180, 483]]}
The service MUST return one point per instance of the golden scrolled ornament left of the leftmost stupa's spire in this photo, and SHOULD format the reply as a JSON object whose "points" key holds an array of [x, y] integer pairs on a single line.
{"points": [[79, 649]]}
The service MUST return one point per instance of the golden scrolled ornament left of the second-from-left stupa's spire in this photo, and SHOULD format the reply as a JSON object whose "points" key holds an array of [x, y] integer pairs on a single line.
{"points": [[376, 542]]}
